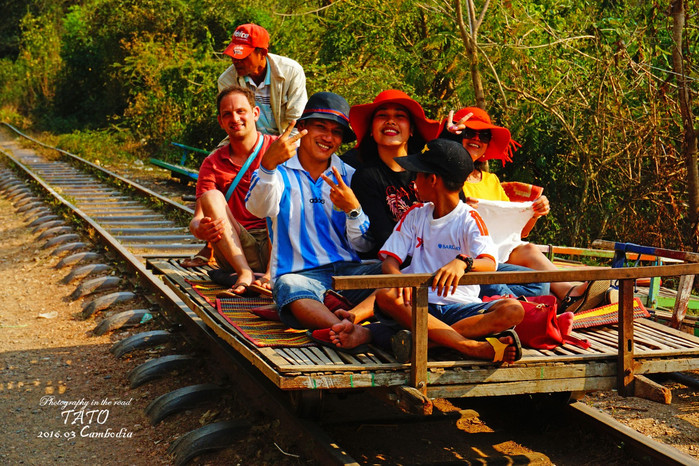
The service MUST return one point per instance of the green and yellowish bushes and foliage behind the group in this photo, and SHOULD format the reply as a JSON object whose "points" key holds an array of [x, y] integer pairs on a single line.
{"points": [[585, 87]]}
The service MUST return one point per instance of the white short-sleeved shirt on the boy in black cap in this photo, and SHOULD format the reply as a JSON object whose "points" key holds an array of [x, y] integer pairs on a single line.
{"points": [[436, 242]]}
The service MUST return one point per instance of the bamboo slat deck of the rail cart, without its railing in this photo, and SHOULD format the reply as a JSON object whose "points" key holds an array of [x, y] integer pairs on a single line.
{"points": [[657, 349]]}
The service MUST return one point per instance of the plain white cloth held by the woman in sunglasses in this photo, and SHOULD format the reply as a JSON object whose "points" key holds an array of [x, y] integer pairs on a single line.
{"points": [[505, 221]]}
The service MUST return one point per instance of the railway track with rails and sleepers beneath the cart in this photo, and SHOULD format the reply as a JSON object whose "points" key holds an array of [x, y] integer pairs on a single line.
{"points": [[132, 223]]}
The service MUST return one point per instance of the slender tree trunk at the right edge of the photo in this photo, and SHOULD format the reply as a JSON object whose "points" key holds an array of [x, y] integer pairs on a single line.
{"points": [[689, 141]]}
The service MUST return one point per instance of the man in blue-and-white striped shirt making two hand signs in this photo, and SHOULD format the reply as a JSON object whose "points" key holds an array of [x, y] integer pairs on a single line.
{"points": [[316, 223]]}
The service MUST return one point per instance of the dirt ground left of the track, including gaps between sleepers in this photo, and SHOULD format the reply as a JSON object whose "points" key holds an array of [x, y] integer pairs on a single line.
{"points": [[52, 365]]}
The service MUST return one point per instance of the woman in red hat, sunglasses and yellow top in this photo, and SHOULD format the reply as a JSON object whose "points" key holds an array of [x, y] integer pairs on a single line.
{"points": [[486, 141]]}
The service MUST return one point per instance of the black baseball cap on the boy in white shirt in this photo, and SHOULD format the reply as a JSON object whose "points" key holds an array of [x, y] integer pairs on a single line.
{"points": [[445, 158]]}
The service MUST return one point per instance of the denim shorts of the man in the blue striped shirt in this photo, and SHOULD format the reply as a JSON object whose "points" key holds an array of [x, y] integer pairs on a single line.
{"points": [[313, 283]]}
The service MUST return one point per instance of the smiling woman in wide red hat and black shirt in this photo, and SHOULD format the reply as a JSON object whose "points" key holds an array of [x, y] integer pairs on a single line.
{"points": [[393, 125]]}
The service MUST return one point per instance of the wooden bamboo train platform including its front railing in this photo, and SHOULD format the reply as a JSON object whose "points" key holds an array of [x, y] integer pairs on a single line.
{"points": [[618, 357]]}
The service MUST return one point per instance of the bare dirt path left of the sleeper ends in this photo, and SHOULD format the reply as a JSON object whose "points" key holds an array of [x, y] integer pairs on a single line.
{"points": [[51, 364]]}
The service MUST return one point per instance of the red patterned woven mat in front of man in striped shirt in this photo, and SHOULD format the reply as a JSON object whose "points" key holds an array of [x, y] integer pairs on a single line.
{"points": [[258, 331]]}
